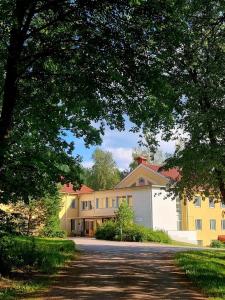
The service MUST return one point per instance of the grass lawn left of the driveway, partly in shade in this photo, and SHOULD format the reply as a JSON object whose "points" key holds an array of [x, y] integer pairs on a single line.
{"points": [[49, 254]]}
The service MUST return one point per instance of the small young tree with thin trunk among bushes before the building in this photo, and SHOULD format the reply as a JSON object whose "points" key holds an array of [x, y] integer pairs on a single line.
{"points": [[124, 217]]}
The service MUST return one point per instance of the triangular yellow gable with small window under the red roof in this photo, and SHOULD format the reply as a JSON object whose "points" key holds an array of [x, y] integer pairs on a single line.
{"points": [[142, 175]]}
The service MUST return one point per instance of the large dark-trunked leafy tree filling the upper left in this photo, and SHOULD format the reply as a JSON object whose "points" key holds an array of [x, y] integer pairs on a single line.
{"points": [[64, 65]]}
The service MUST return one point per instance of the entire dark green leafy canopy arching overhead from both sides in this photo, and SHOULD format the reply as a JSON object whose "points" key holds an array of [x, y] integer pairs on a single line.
{"points": [[66, 65]]}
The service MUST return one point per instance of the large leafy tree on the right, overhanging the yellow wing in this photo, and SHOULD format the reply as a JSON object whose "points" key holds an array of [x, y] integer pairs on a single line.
{"points": [[190, 58]]}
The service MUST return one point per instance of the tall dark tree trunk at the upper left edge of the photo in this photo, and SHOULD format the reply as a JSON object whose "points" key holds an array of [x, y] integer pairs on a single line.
{"points": [[10, 90]]}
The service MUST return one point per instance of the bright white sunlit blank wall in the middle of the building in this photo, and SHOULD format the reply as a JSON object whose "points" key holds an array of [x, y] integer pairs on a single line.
{"points": [[163, 210]]}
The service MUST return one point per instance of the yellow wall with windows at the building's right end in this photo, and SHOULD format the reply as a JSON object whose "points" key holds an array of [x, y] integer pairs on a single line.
{"points": [[205, 213]]}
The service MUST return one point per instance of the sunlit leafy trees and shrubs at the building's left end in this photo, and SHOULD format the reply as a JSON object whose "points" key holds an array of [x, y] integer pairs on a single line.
{"points": [[38, 217]]}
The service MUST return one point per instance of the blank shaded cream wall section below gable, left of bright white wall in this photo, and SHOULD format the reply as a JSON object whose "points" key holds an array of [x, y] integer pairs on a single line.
{"points": [[142, 207]]}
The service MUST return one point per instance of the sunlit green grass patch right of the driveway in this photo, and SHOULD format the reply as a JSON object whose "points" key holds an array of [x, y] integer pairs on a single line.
{"points": [[206, 269]]}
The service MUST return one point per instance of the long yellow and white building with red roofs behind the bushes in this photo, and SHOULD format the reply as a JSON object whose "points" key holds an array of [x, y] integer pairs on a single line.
{"points": [[199, 221]]}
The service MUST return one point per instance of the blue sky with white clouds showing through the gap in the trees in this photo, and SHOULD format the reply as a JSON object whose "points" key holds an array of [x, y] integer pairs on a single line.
{"points": [[119, 143]]}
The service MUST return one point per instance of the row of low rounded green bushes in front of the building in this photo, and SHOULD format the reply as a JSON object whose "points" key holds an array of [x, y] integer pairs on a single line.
{"points": [[133, 233]]}
